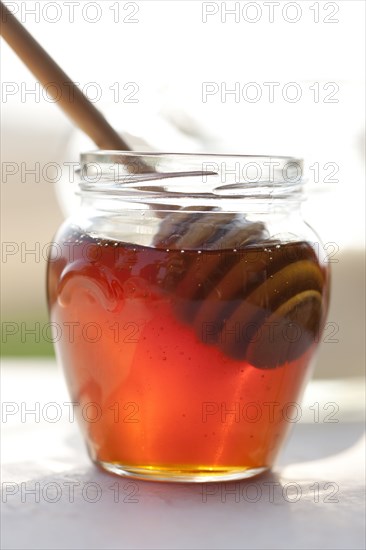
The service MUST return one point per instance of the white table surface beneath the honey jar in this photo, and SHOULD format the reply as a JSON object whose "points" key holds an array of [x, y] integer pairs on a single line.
{"points": [[313, 499]]}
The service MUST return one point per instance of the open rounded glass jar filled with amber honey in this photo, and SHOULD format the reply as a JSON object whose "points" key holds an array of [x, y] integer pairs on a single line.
{"points": [[189, 296]]}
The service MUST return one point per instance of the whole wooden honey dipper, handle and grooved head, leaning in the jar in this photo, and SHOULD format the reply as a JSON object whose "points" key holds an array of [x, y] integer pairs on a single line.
{"points": [[219, 293]]}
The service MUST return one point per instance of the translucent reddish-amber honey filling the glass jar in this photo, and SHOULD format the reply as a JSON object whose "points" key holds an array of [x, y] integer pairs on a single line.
{"points": [[185, 362]]}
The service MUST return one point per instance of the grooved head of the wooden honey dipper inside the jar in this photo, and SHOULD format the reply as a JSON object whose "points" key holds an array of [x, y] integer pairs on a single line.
{"points": [[264, 305]]}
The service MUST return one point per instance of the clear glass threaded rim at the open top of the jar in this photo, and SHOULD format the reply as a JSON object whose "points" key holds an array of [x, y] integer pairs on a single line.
{"points": [[164, 176]]}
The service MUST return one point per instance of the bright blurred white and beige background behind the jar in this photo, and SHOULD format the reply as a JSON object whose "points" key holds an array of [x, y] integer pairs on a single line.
{"points": [[168, 54]]}
